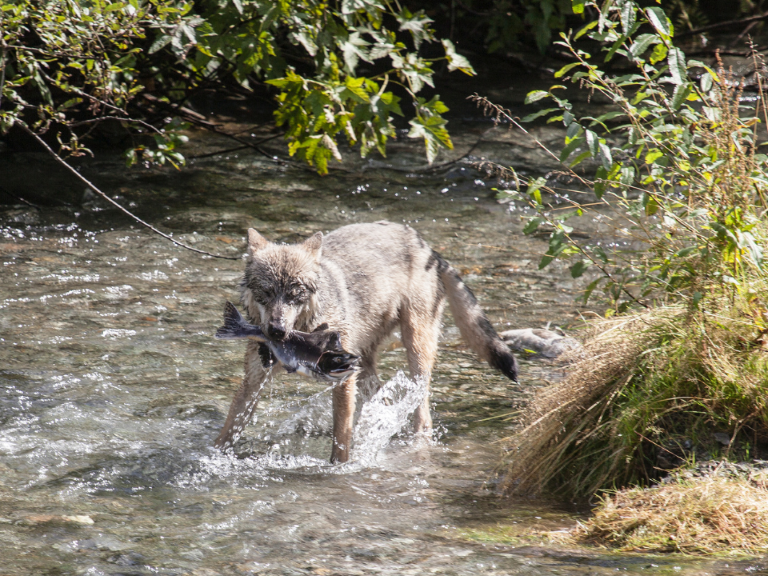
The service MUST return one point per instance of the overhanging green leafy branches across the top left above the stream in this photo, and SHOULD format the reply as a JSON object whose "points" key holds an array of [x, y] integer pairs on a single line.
{"points": [[70, 65]]}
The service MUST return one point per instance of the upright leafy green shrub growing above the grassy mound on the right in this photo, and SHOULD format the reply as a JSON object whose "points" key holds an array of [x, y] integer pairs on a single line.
{"points": [[675, 159]]}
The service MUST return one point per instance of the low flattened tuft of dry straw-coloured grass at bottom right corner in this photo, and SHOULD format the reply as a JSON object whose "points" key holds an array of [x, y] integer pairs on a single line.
{"points": [[702, 515]]}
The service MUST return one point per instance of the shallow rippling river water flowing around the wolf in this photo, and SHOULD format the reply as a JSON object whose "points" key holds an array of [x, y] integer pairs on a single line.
{"points": [[112, 388]]}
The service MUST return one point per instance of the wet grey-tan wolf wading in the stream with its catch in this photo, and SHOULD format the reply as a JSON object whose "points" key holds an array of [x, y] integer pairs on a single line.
{"points": [[363, 280]]}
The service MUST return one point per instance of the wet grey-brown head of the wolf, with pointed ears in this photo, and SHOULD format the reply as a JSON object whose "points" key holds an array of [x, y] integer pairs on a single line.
{"points": [[280, 282]]}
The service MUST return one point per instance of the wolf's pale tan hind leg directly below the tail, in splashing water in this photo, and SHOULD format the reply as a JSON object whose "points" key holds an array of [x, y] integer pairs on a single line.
{"points": [[420, 330]]}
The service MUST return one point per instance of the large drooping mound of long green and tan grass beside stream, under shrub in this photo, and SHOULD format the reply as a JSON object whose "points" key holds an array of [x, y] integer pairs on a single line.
{"points": [[647, 393]]}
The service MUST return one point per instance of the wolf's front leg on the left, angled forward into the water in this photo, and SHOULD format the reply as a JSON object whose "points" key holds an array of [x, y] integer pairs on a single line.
{"points": [[257, 363]]}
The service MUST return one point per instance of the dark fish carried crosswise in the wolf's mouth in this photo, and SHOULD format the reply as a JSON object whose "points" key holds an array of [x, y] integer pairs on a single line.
{"points": [[317, 354]]}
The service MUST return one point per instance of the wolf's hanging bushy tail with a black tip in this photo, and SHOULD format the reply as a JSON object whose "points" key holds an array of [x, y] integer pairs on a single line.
{"points": [[474, 326]]}
